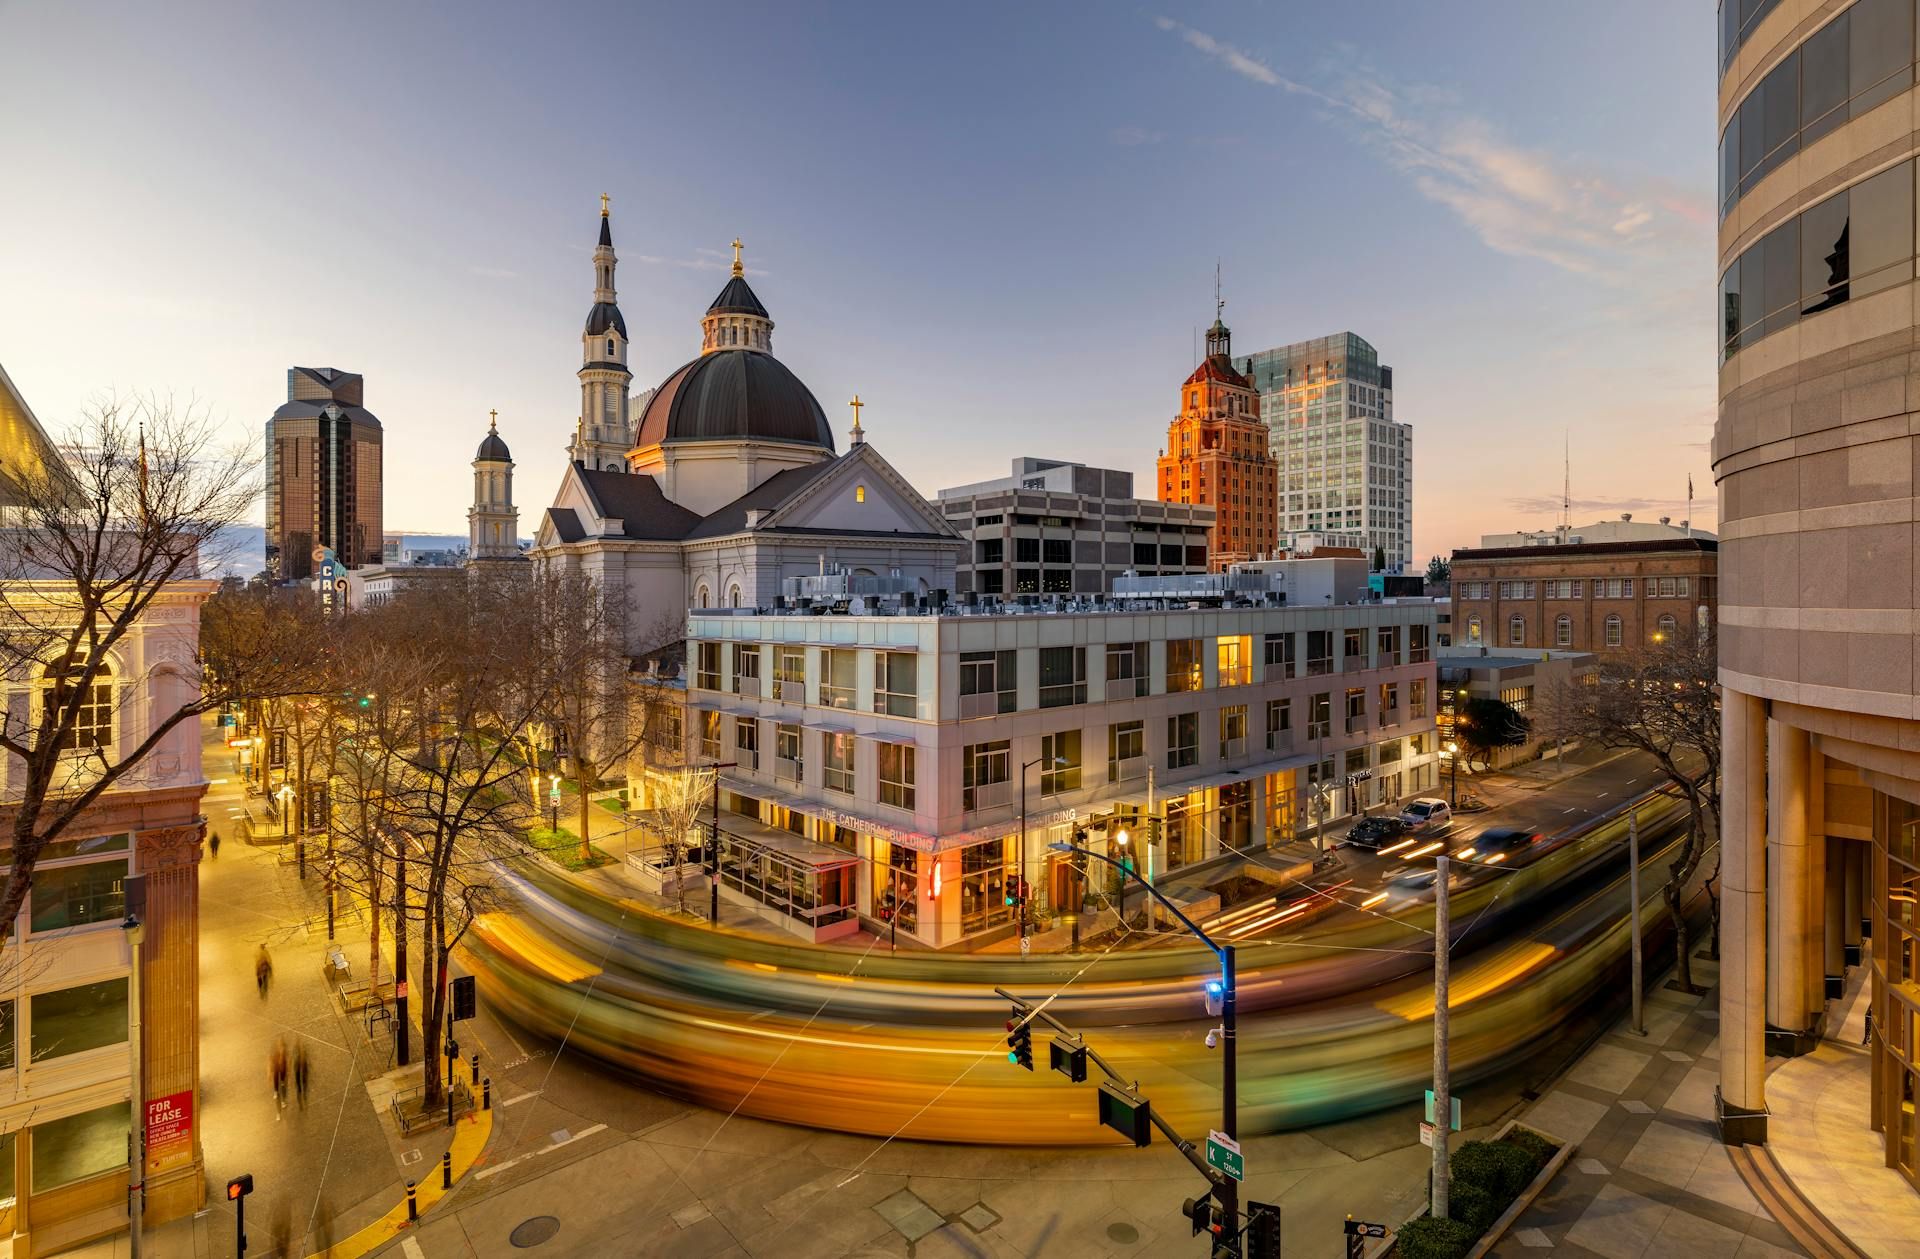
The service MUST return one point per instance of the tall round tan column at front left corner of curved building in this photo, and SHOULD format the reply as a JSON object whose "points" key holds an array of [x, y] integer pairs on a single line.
{"points": [[1740, 1099]]}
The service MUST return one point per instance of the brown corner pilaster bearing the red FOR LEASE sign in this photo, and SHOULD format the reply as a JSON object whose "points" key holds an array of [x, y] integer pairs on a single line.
{"points": [[170, 1018]]}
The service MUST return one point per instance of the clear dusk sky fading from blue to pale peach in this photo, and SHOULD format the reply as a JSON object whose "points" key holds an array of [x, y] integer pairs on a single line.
{"points": [[999, 224]]}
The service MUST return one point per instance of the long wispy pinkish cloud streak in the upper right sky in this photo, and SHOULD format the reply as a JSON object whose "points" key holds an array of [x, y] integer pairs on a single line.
{"points": [[1518, 201]]}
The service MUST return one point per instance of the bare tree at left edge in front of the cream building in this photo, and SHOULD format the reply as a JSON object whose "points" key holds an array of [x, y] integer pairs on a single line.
{"points": [[91, 540]]}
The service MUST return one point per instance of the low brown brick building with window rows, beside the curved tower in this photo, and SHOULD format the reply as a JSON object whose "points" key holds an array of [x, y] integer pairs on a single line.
{"points": [[1602, 598]]}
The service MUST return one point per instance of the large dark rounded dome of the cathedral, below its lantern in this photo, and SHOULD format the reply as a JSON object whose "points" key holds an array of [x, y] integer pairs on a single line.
{"points": [[734, 394]]}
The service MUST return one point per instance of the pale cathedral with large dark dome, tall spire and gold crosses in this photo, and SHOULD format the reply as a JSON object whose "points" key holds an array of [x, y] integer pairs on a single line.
{"points": [[725, 481]]}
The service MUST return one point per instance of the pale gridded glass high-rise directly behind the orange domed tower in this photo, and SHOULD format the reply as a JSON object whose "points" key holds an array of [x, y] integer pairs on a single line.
{"points": [[1347, 463]]}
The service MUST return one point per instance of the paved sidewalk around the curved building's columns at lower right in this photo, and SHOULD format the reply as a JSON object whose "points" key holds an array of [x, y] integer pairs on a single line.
{"points": [[1652, 1179]]}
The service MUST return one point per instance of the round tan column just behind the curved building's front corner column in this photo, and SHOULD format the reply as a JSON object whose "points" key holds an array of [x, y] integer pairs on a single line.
{"points": [[1788, 872]]}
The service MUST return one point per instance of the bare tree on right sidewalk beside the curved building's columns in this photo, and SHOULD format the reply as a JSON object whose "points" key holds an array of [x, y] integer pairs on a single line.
{"points": [[1662, 701]]}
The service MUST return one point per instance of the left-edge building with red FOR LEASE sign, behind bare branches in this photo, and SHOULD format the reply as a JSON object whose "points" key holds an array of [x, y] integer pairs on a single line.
{"points": [[68, 1010]]}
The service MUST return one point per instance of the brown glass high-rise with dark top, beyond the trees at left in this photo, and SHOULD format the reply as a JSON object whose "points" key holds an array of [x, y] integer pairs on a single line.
{"points": [[324, 475]]}
